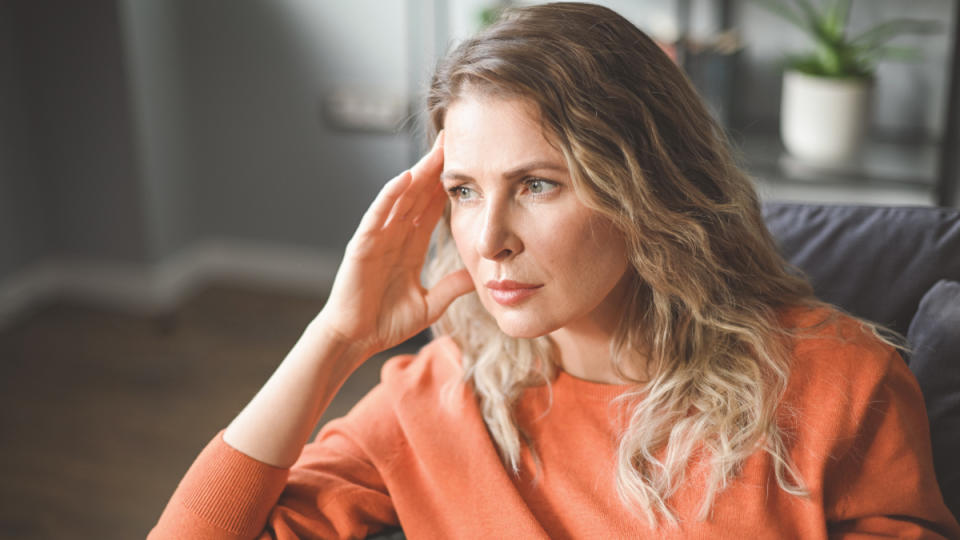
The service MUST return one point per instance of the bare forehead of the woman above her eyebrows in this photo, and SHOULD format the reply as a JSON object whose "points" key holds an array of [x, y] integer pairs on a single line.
{"points": [[494, 133]]}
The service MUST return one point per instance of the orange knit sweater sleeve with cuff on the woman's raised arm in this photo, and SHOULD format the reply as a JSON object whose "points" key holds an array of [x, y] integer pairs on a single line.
{"points": [[334, 490]]}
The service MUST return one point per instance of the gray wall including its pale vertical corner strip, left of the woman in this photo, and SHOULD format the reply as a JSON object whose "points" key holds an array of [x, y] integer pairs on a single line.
{"points": [[228, 96]]}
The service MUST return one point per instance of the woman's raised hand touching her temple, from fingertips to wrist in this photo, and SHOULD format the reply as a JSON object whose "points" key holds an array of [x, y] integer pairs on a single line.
{"points": [[377, 300]]}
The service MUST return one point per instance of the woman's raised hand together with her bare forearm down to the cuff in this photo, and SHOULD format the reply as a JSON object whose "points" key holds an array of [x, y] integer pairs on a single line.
{"points": [[377, 301]]}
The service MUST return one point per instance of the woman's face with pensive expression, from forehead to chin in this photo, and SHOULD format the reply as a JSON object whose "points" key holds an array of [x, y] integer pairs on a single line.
{"points": [[539, 258]]}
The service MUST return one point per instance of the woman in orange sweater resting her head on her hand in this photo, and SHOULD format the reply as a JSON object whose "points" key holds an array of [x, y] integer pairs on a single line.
{"points": [[633, 359]]}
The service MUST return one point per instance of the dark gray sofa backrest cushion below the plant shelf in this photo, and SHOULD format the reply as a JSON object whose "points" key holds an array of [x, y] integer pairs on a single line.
{"points": [[873, 261]]}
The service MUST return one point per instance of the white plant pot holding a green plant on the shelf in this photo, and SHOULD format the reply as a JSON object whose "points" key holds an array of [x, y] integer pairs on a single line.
{"points": [[823, 121]]}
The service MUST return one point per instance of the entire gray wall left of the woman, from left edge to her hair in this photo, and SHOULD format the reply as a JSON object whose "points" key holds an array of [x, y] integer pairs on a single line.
{"points": [[133, 128]]}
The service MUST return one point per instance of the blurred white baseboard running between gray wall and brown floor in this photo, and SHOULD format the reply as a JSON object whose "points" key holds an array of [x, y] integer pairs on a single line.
{"points": [[147, 289]]}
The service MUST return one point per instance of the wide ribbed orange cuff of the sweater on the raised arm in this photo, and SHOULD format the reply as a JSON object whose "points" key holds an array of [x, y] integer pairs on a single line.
{"points": [[225, 494]]}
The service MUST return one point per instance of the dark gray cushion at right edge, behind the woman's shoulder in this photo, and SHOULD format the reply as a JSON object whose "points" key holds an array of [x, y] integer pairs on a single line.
{"points": [[935, 337]]}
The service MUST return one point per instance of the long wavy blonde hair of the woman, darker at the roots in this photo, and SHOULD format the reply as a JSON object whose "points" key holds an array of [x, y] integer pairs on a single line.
{"points": [[708, 280]]}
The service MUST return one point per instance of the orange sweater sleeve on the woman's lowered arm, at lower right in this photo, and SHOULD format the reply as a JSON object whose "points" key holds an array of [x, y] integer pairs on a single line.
{"points": [[882, 482]]}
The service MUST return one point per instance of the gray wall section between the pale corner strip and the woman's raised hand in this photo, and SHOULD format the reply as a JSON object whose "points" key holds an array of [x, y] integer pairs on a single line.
{"points": [[264, 165]]}
